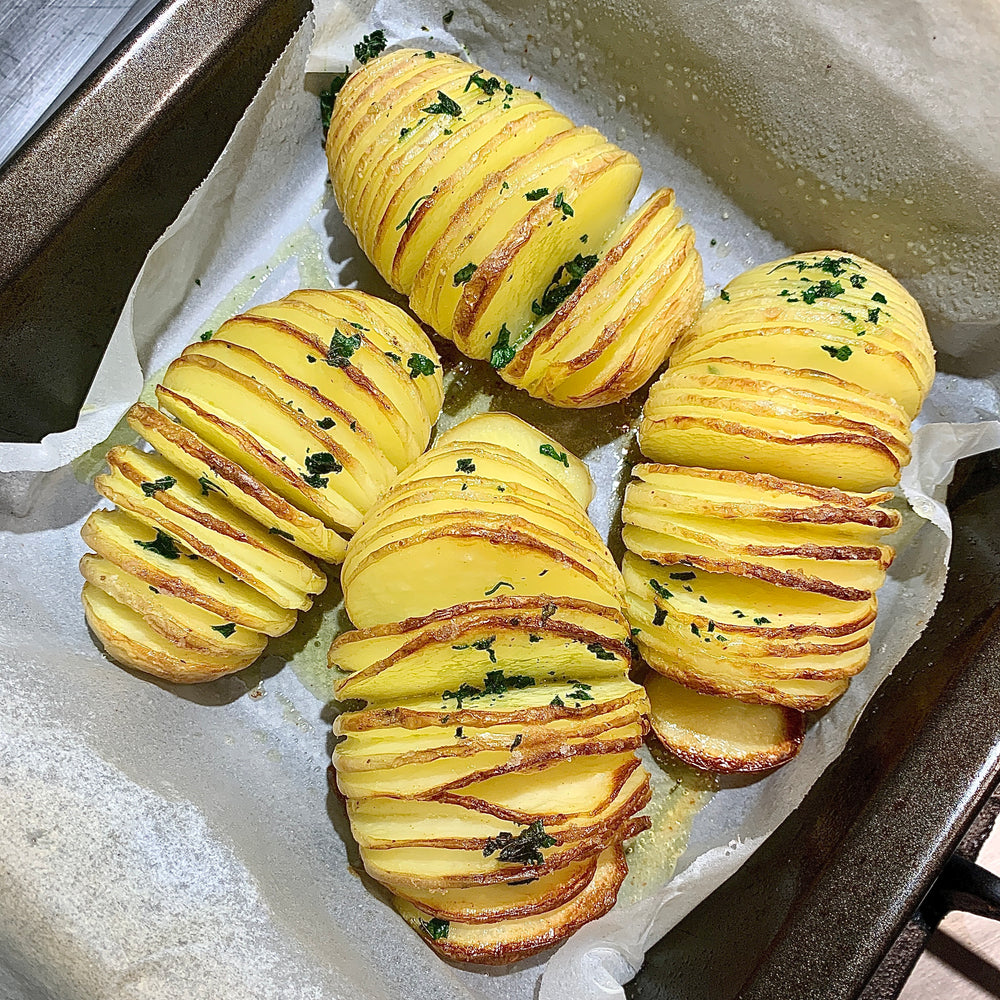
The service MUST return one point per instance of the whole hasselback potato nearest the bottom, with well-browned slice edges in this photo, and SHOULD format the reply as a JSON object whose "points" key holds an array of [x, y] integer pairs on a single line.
{"points": [[491, 778]]}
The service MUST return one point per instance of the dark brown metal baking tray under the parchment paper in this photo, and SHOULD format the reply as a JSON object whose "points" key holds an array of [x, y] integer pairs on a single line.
{"points": [[813, 911]]}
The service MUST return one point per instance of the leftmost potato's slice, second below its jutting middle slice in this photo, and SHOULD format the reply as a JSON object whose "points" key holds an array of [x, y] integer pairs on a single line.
{"points": [[128, 543]]}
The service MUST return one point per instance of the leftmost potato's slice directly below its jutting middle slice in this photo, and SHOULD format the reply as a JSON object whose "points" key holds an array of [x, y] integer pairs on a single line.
{"points": [[210, 526]]}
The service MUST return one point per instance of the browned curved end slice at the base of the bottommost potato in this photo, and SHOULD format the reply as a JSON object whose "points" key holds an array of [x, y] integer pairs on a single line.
{"points": [[510, 940]]}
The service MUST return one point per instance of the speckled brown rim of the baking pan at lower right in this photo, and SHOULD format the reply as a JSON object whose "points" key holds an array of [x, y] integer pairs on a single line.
{"points": [[793, 966]]}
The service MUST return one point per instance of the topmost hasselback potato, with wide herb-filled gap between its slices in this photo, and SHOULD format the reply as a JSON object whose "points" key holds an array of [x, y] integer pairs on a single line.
{"points": [[509, 229]]}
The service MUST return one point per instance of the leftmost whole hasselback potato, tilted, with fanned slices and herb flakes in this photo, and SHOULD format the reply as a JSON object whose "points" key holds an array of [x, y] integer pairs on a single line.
{"points": [[273, 437]]}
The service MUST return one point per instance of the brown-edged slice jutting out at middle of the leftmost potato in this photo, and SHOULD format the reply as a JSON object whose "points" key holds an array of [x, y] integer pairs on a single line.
{"points": [[216, 473]]}
